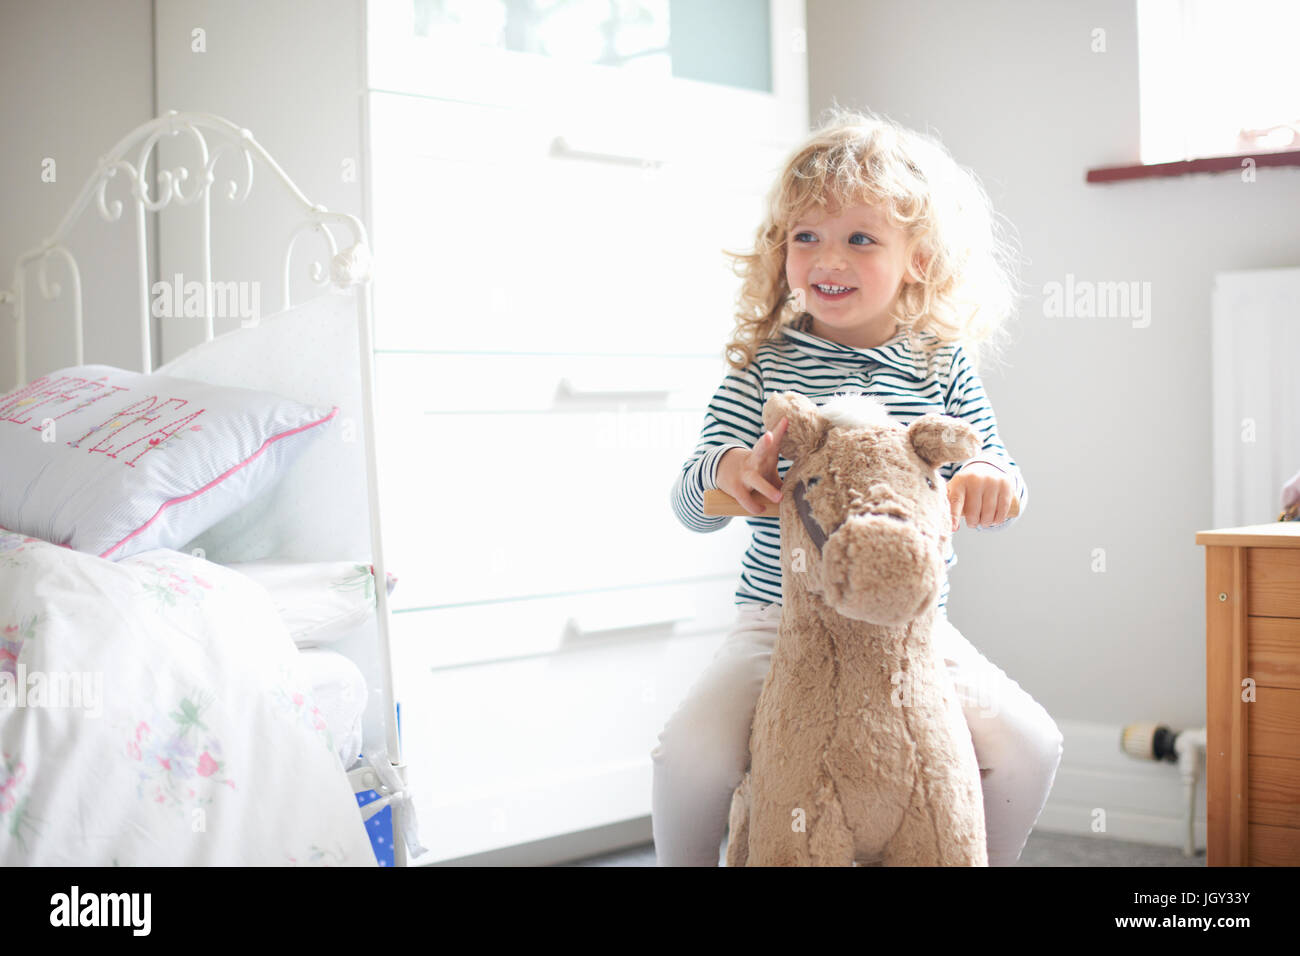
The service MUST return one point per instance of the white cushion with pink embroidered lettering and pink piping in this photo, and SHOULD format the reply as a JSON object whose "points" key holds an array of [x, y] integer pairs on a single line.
{"points": [[114, 462]]}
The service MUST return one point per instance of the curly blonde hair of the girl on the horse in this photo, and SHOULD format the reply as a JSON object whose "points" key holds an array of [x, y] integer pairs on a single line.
{"points": [[964, 258]]}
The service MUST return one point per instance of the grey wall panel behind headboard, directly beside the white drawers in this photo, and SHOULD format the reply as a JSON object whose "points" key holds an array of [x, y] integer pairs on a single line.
{"points": [[289, 72]]}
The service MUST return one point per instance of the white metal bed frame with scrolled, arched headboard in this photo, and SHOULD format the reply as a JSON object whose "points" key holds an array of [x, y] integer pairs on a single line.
{"points": [[349, 269]]}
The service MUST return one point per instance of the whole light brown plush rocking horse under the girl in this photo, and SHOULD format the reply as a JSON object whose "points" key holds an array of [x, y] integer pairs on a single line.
{"points": [[860, 754]]}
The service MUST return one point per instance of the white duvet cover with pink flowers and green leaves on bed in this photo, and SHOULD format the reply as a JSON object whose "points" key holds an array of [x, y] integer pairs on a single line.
{"points": [[151, 713]]}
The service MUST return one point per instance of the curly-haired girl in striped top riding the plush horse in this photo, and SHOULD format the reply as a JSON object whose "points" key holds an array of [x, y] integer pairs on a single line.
{"points": [[877, 267]]}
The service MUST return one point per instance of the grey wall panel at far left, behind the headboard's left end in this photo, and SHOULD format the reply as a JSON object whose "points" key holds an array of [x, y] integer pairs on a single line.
{"points": [[76, 77]]}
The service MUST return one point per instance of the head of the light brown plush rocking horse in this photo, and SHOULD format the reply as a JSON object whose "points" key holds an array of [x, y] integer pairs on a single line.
{"points": [[865, 503]]}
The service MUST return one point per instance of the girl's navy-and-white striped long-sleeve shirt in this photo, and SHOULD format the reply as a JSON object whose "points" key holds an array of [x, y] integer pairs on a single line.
{"points": [[912, 375]]}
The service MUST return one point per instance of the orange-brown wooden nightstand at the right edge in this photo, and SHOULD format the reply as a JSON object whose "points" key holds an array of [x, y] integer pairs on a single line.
{"points": [[1253, 648]]}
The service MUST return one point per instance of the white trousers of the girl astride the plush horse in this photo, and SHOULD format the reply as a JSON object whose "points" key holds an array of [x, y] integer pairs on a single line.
{"points": [[704, 750]]}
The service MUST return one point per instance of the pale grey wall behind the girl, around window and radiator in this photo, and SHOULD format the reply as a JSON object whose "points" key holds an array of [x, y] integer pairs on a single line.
{"points": [[1111, 423]]}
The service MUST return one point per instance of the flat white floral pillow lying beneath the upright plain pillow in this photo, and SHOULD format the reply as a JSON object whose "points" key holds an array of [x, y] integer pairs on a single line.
{"points": [[320, 603]]}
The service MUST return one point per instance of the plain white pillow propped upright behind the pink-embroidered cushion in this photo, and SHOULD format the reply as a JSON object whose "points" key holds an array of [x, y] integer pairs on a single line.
{"points": [[309, 353]]}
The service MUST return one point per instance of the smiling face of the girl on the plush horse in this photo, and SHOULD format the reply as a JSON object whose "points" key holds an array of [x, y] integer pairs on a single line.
{"points": [[851, 266]]}
